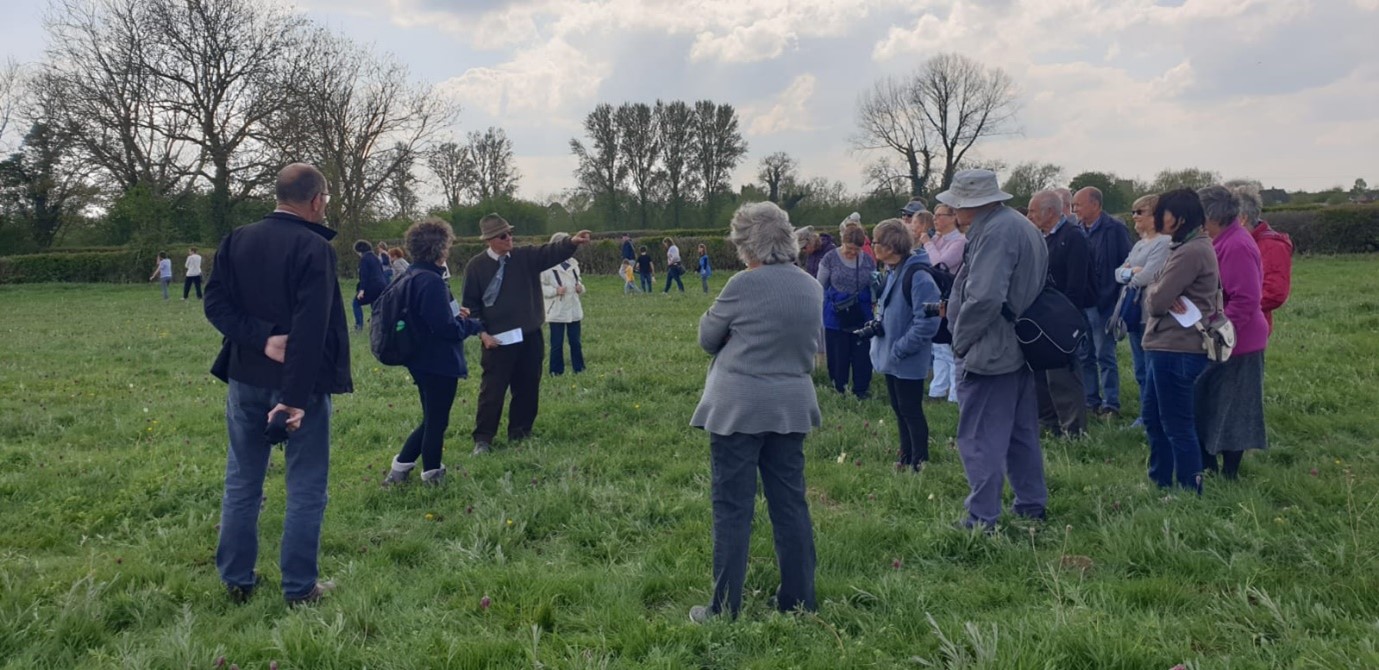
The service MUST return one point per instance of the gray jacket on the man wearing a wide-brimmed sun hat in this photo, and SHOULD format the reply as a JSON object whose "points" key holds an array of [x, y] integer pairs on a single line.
{"points": [[1007, 264]]}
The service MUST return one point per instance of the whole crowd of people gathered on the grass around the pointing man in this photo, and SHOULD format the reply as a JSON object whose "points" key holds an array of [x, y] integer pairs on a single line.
{"points": [[275, 289]]}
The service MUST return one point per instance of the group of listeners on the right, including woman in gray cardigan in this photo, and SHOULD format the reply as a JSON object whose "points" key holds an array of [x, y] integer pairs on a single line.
{"points": [[1205, 261]]}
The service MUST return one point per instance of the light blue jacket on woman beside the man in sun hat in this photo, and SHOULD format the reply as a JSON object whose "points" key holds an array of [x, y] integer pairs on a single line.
{"points": [[905, 348]]}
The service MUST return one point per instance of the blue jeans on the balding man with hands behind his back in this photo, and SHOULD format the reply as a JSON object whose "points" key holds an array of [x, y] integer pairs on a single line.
{"points": [[308, 456]]}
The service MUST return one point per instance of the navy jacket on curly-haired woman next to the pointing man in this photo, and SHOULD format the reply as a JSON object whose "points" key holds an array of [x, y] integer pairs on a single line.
{"points": [[442, 345]]}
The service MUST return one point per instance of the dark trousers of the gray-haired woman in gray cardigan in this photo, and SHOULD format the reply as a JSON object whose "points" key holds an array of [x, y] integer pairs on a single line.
{"points": [[736, 461]]}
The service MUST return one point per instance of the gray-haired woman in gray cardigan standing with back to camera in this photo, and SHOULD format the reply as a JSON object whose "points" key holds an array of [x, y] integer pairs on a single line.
{"points": [[758, 406]]}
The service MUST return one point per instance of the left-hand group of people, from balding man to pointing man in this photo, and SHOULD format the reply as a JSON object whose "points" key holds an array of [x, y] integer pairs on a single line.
{"points": [[276, 300]]}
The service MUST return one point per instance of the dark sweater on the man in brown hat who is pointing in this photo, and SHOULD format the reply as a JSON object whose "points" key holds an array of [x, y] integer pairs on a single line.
{"points": [[519, 300]]}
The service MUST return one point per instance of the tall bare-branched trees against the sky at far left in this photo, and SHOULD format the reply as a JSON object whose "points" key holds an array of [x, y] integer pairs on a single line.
{"points": [[197, 100]]}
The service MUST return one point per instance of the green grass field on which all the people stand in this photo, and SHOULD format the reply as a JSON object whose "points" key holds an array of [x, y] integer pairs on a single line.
{"points": [[592, 540]]}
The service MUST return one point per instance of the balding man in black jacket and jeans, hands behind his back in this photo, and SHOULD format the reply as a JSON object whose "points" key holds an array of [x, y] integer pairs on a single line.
{"points": [[276, 298]]}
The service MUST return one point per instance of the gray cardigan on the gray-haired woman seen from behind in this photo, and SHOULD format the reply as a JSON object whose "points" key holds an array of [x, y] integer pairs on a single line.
{"points": [[763, 333]]}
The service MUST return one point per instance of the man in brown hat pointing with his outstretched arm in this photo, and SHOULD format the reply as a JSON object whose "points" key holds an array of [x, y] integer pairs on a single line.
{"points": [[503, 290]]}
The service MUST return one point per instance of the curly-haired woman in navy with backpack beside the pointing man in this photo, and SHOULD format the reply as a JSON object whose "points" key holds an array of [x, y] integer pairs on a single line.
{"points": [[439, 329]]}
